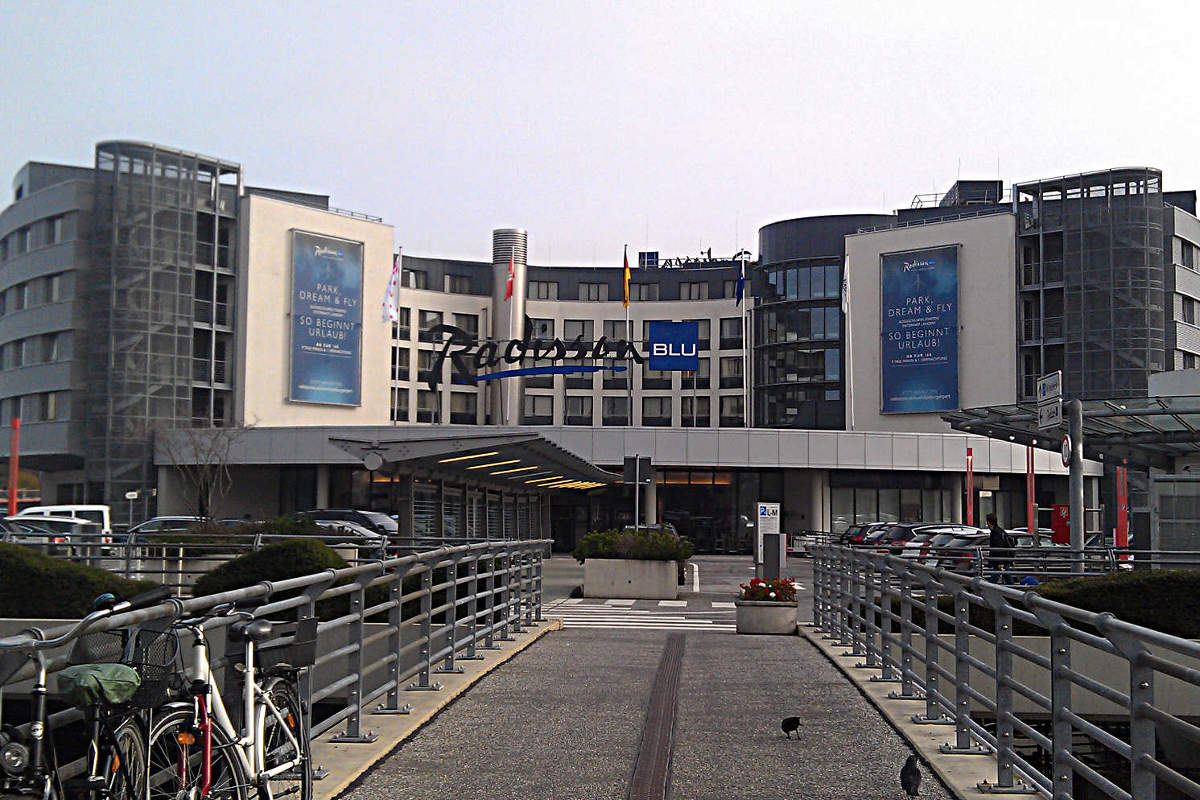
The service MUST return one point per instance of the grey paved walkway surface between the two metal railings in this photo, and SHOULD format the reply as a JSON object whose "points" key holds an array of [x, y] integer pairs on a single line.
{"points": [[565, 720]]}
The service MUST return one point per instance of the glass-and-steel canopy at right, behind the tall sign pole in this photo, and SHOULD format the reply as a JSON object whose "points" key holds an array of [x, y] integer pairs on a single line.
{"points": [[1145, 432]]}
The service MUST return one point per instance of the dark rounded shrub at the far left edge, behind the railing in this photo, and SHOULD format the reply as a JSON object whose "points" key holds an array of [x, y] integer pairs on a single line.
{"points": [[38, 586]]}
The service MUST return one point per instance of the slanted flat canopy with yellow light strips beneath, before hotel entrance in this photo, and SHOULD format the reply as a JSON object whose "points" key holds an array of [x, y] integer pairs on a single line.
{"points": [[517, 460]]}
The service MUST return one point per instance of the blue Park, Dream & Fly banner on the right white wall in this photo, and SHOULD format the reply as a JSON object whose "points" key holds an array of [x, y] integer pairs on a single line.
{"points": [[920, 332]]}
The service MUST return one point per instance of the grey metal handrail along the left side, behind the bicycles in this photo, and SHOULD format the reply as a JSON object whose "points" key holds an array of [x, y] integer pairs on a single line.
{"points": [[490, 592]]}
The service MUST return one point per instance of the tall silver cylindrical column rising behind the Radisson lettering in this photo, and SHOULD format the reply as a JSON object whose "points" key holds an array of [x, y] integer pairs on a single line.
{"points": [[509, 245]]}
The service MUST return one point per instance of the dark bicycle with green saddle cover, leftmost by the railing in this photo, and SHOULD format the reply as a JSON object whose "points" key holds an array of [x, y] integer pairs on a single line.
{"points": [[115, 767]]}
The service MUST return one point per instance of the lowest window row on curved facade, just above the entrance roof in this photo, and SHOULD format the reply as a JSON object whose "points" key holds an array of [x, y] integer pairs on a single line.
{"points": [[539, 410]]}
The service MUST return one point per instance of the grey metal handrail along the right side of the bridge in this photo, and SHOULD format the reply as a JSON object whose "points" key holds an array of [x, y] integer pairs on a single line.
{"points": [[856, 599]]}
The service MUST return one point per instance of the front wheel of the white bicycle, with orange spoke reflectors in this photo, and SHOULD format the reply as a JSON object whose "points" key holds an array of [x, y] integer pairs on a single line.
{"points": [[175, 759]]}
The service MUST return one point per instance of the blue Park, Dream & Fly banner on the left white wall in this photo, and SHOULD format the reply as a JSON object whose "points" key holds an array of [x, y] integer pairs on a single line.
{"points": [[327, 320]]}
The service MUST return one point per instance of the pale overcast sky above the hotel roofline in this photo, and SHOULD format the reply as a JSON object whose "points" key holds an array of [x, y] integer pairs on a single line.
{"points": [[671, 127]]}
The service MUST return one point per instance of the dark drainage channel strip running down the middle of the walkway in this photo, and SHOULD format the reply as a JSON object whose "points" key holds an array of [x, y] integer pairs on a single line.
{"points": [[652, 771]]}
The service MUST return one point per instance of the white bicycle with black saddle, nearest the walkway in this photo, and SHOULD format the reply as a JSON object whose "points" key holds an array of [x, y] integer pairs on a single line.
{"points": [[195, 750]]}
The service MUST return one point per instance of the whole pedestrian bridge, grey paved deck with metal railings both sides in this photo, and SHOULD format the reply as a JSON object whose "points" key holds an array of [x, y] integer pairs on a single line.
{"points": [[592, 699]]}
